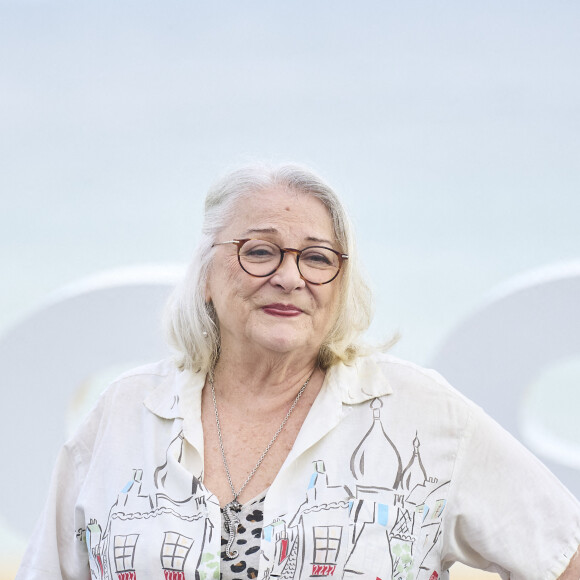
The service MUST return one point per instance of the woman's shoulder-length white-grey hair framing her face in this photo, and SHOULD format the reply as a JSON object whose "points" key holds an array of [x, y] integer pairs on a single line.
{"points": [[191, 323]]}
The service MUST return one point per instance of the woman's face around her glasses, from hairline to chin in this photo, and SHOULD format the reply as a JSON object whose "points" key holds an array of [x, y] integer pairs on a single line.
{"points": [[280, 313]]}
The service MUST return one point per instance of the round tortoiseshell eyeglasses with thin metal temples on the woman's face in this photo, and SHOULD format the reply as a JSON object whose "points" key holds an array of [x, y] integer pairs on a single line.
{"points": [[316, 264]]}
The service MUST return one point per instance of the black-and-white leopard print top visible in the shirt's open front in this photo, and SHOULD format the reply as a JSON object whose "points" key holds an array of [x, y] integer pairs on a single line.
{"points": [[245, 564]]}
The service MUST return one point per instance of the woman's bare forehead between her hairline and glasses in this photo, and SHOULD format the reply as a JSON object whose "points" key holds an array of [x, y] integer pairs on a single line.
{"points": [[283, 212]]}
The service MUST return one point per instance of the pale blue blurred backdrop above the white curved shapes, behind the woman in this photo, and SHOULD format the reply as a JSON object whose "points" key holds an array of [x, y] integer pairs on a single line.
{"points": [[451, 129]]}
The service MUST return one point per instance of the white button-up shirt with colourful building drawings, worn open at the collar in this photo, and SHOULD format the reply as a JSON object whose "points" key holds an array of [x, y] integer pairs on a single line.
{"points": [[394, 475]]}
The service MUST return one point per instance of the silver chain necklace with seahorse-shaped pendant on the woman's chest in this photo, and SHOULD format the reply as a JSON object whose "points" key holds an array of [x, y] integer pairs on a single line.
{"points": [[231, 520]]}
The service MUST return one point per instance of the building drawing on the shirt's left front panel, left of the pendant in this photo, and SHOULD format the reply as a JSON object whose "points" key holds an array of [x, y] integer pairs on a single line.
{"points": [[180, 535]]}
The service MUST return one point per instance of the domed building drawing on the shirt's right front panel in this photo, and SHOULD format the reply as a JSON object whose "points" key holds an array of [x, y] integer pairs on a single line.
{"points": [[338, 532]]}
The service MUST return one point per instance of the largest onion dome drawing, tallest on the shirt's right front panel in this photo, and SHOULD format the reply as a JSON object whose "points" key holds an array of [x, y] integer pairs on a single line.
{"points": [[376, 461]]}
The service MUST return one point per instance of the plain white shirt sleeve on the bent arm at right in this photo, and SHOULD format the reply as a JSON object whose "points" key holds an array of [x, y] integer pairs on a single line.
{"points": [[507, 512]]}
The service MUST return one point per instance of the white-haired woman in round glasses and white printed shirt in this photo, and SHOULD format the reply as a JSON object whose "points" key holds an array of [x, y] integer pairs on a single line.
{"points": [[275, 446]]}
